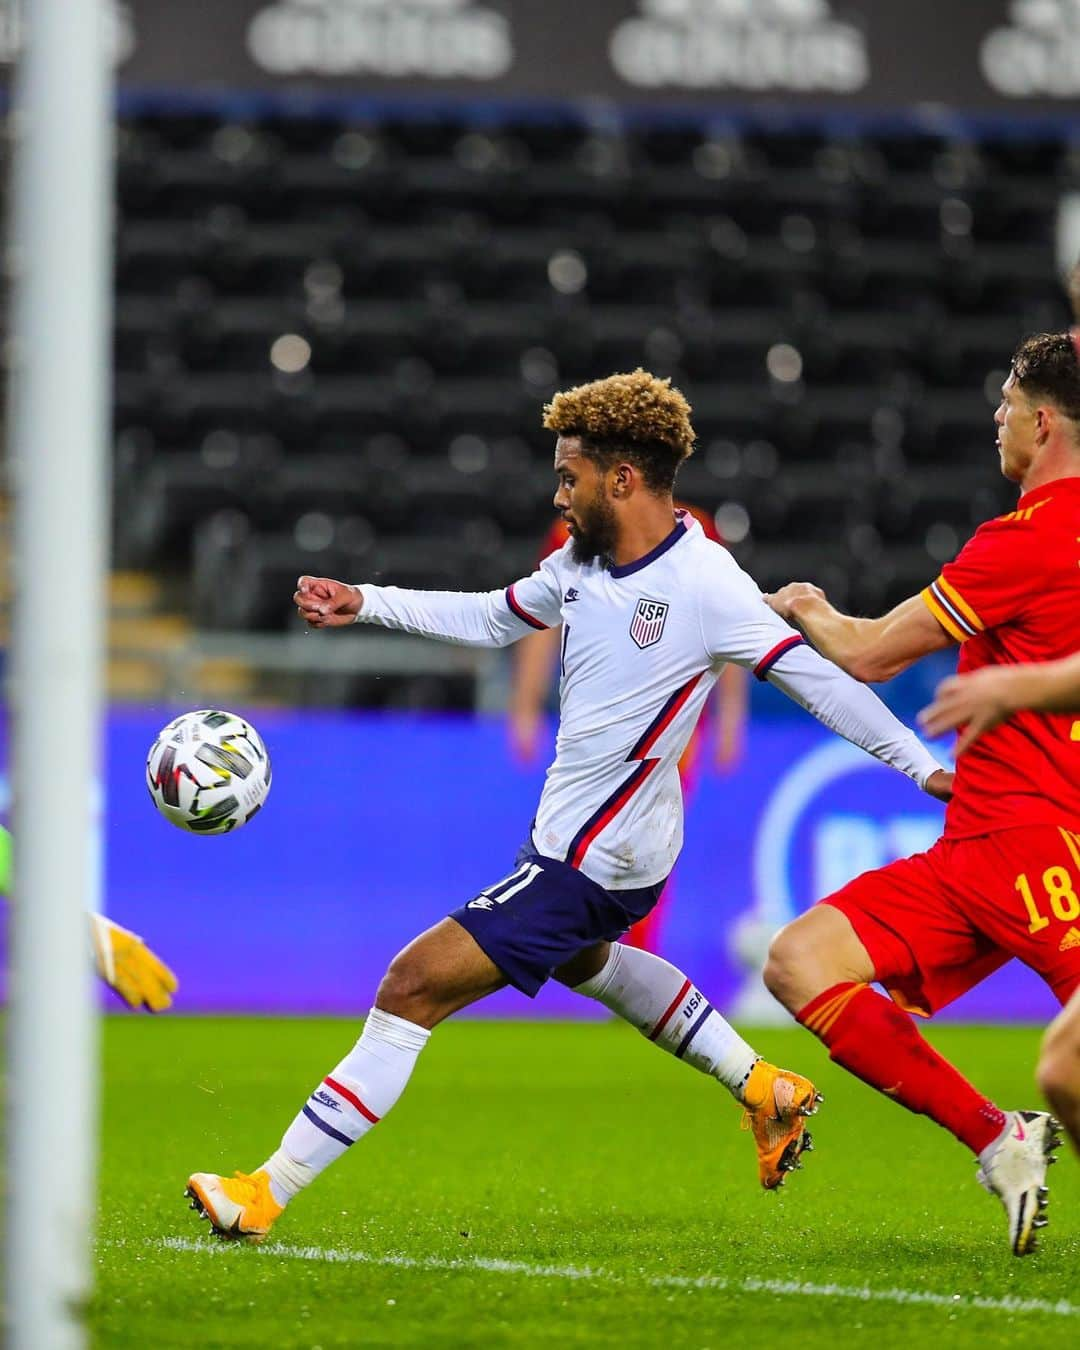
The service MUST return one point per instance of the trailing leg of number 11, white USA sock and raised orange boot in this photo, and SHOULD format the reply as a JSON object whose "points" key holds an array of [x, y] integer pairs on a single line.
{"points": [[672, 1012]]}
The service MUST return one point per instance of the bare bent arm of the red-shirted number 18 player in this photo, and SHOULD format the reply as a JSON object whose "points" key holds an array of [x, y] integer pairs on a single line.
{"points": [[870, 650]]}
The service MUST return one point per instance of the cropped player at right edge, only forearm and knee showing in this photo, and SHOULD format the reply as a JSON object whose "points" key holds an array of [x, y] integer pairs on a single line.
{"points": [[978, 703]]}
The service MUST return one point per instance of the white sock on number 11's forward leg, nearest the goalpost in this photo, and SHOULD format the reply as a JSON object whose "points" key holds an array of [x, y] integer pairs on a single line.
{"points": [[350, 1100]]}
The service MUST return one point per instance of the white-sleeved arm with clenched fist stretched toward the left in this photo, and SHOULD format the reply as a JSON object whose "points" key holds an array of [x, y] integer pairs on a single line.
{"points": [[469, 619]]}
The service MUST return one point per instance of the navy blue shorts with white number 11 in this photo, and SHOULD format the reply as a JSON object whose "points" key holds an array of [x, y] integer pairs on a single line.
{"points": [[545, 913]]}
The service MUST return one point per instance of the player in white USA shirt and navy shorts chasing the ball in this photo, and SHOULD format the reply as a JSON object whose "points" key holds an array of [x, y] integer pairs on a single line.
{"points": [[650, 611]]}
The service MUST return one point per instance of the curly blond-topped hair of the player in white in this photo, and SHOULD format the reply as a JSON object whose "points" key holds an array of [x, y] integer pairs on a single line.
{"points": [[638, 416]]}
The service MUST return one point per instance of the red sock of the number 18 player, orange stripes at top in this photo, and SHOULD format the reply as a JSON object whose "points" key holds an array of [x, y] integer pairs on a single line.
{"points": [[878, 1043]]}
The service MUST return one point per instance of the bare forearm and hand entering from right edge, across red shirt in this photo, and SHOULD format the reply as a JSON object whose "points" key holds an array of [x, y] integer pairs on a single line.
{"points": [[985, 699]]}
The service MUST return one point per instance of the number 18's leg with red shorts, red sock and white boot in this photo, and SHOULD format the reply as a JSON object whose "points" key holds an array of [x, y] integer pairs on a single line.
{"points": [[900, 927]]}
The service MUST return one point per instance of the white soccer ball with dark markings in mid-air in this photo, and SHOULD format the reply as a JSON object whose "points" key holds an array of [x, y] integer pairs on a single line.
{"points": [[209, 772]]}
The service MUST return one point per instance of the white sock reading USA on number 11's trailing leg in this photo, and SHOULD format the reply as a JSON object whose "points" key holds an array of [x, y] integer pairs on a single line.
{"points": [[672, 1010]]}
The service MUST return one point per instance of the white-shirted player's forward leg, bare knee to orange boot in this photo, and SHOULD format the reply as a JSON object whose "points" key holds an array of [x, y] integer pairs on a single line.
{"points": [[434, 977]]}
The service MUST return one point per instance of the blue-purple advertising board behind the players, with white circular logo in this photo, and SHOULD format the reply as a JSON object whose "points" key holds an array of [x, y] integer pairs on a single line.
{"points": [[380, 824]]}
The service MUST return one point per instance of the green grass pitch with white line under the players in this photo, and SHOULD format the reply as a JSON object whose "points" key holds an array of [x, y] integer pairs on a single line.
{"points": [[562, 1186]]}
